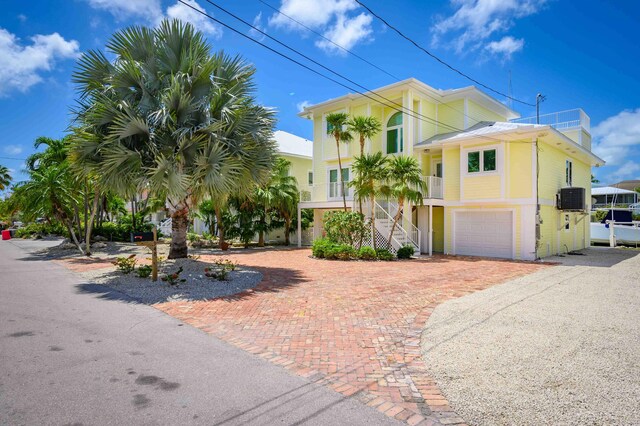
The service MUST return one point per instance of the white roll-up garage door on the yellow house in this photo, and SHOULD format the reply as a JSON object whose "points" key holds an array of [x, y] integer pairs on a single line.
{"points": [[484, 233]]}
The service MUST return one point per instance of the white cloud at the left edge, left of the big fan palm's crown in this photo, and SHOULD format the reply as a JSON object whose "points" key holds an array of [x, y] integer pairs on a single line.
{"points": [[20, 65]]}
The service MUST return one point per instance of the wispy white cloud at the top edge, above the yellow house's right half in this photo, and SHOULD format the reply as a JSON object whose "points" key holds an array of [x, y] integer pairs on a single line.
{"points": [[475, 21]]}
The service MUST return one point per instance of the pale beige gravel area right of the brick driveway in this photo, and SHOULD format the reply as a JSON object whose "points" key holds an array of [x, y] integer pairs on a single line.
{"points": [[561, 346]]}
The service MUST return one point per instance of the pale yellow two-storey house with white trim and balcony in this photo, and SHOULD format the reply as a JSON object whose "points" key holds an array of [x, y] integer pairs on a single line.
{"points": [[485, 176]]}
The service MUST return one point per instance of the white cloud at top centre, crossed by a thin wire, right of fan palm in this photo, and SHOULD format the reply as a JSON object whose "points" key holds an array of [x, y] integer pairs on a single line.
{"points": [[331, 17]]}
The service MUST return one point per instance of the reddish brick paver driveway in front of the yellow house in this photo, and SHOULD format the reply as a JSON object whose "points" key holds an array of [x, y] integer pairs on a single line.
{"points": [[354, 326]]}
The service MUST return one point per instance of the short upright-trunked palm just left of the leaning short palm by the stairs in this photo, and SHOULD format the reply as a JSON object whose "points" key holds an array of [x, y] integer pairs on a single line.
{"points": [[371, 172]]}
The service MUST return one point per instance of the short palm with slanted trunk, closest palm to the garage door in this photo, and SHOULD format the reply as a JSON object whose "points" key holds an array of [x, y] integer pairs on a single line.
{"points": [[404, 183]]}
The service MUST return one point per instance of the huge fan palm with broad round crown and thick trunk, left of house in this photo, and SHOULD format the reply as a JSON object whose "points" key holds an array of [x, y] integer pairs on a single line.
{"points": [[169, 116]]}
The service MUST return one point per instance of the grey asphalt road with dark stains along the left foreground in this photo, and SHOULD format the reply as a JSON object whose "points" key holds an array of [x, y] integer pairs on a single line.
{"points": [[73, 353]]}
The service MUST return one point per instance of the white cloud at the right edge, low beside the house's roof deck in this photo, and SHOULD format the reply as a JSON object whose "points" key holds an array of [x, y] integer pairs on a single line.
{"points": [[618, 137]]}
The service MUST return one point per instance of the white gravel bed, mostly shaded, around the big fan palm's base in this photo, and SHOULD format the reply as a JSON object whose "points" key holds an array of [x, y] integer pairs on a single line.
{"points": [[196, 287]]}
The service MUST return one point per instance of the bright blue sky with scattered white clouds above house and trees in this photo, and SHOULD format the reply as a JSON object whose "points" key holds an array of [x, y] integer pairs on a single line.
{"points": [[579, 54]]}
